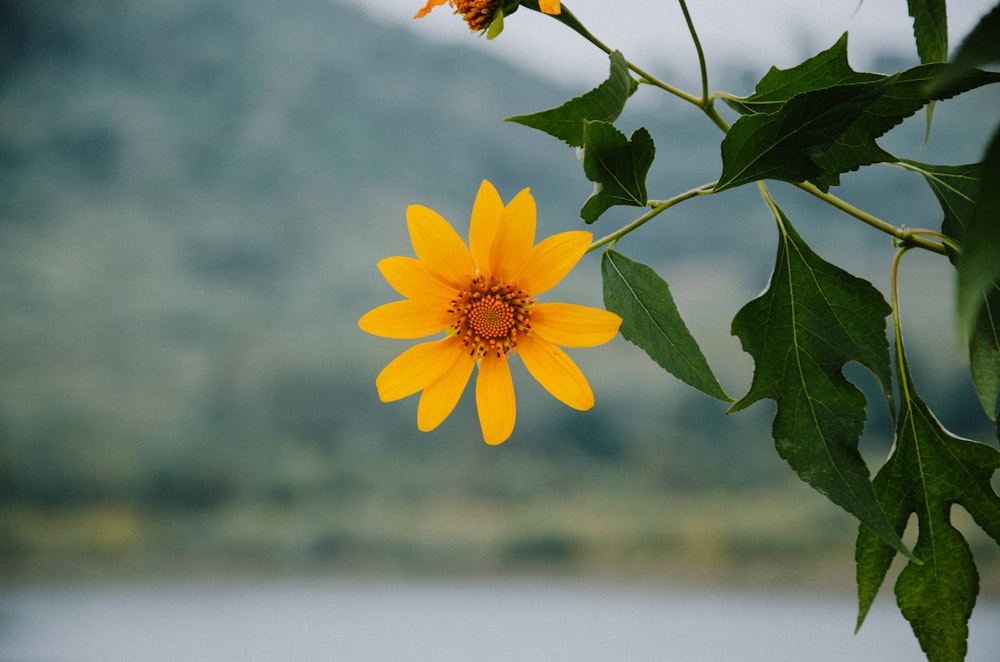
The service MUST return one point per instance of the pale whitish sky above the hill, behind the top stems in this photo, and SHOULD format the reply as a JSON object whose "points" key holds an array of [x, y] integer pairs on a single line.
{"points": [[651, 33]]}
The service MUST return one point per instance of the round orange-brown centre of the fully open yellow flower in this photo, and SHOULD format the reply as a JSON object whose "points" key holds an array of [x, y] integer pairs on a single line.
{"points": [[489, 316]]}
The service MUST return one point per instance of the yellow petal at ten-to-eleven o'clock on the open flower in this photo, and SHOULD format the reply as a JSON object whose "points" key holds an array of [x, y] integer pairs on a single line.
{"points": [[439, 247]]}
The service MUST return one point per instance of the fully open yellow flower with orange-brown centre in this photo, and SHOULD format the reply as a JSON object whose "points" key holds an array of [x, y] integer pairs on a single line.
{"points": [[482, 296]]}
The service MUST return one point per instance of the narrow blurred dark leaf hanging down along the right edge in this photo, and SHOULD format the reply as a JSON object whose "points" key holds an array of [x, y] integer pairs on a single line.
{"points": [[979, 265]]}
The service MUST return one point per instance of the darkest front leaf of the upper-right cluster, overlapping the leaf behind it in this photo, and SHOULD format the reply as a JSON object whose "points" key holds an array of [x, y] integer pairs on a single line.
{"points": [[782, 145]]}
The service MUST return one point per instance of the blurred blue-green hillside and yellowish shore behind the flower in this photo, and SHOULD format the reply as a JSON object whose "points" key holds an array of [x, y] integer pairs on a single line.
{"points": [[193, 197]]}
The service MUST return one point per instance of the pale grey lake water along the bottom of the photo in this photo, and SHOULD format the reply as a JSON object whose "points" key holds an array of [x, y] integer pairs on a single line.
{"points": [[347, 620]]}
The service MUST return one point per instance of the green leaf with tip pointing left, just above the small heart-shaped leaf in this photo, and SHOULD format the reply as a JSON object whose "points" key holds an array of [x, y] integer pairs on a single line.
{"points": [[604, 103]]}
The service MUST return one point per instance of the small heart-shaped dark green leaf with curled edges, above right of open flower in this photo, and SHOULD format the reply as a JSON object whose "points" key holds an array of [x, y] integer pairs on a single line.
{"points": [[617, 166]]}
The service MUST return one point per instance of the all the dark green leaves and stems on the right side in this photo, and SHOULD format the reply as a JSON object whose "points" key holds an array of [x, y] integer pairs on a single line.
{"points": [[809, 125]]}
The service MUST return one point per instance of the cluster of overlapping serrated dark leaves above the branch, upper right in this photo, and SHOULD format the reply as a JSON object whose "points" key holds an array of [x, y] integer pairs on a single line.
{"points": [[822, 118]]}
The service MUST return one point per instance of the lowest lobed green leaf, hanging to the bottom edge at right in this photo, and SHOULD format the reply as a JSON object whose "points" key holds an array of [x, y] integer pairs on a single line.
{"points": [[929, 471]]}
